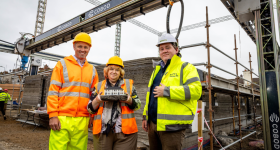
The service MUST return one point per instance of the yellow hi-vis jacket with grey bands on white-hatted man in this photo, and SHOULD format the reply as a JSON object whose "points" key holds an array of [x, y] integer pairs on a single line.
{"points": [[177, 107]]}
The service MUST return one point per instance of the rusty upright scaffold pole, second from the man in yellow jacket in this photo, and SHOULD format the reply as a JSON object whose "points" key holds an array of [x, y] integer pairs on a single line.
{"points": [[238, 98]]}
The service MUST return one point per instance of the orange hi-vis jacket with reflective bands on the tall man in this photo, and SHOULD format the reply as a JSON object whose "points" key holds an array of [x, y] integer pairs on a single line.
{"points": [[70, 88]]}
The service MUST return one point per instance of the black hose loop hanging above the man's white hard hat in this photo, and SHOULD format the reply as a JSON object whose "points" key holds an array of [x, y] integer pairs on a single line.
{"points": [[181, 20]]}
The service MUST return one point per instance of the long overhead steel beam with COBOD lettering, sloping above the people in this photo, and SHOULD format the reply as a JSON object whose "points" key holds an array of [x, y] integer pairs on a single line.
{"points": [[128, 9]]}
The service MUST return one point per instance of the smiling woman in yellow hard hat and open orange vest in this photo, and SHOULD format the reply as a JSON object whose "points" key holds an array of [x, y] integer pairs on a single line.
{"points": [[114, 124]]}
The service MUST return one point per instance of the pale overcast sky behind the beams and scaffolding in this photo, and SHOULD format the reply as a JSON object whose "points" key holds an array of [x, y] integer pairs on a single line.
{"points": [[20, 16]]}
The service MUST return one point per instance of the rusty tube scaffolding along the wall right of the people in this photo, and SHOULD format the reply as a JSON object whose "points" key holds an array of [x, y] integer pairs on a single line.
{"points": [[216, 89]]}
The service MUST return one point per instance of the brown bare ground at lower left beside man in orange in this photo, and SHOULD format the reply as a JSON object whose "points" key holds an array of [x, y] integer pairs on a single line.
{"points": [[15, 137]]}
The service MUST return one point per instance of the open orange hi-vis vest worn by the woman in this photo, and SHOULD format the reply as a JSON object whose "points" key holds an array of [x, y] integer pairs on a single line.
{"points": [[129, 125]]}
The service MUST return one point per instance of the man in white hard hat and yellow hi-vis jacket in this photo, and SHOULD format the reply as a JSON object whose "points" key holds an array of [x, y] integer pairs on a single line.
{"points": [[171, 100]]}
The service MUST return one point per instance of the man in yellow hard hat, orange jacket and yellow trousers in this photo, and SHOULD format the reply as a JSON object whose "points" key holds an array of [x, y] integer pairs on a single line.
{"points": [[72, 81]]}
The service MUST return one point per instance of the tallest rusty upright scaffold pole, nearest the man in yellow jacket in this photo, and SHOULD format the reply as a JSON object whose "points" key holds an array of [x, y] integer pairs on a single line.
{"points": [[209, 80]]}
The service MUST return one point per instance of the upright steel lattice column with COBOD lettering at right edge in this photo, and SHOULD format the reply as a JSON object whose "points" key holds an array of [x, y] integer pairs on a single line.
{"points": [[268, 62]]}
